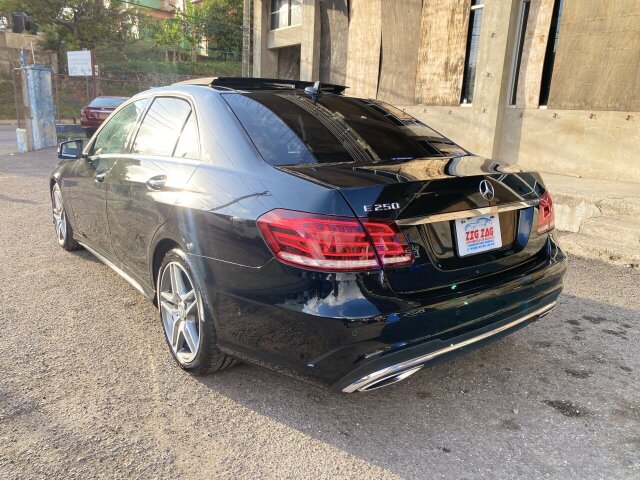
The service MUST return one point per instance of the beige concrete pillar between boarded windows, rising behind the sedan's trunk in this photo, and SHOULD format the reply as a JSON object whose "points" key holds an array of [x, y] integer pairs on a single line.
{"points": [[495, 54]]}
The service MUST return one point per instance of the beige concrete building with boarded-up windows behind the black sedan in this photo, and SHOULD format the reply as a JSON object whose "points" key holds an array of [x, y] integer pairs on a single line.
{"points": [[549, 84]]}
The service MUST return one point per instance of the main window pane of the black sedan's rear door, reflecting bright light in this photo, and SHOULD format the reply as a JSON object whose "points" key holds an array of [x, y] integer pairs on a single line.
{"points": [[161, 126]]}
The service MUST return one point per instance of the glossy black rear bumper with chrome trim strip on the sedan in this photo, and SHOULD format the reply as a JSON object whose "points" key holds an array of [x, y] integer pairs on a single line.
{"points": [[336, 330]]}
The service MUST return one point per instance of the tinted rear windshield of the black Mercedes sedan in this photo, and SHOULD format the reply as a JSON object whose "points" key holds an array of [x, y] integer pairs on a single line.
{"points": [[289, 129]]}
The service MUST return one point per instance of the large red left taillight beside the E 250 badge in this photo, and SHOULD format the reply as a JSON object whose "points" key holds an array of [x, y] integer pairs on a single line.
{"points": [[332, 243]]}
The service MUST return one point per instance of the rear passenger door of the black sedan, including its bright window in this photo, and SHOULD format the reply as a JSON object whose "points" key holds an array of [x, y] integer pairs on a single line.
{"points": [[145, 183]]}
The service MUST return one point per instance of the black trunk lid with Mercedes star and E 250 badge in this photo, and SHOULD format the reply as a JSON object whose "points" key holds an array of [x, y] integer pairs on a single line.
{"points": [[429, 199]]}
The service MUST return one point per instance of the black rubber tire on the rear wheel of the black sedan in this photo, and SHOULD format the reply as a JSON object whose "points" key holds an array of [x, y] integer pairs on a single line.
{"points": [[208, 358]]}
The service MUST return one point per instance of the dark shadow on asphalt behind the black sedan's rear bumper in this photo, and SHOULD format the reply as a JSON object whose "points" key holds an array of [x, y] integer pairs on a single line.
{"points": [[501, 397]]}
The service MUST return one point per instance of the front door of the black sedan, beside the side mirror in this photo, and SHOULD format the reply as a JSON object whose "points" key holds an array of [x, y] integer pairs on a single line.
{"points": [[88, 185]]}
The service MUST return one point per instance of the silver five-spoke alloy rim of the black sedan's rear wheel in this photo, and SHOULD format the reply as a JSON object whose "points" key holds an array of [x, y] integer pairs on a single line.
{"points": [[181, 318]]}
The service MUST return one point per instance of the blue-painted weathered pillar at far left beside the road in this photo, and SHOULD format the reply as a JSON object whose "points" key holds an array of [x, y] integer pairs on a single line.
{"points": [[37, 96]]}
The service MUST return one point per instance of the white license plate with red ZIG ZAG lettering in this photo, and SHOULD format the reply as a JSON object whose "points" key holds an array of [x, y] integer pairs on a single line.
{"points": [[478, 234]]}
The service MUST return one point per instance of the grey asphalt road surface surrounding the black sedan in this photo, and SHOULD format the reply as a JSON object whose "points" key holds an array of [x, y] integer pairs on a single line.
{"points": [[89, 390]]}
